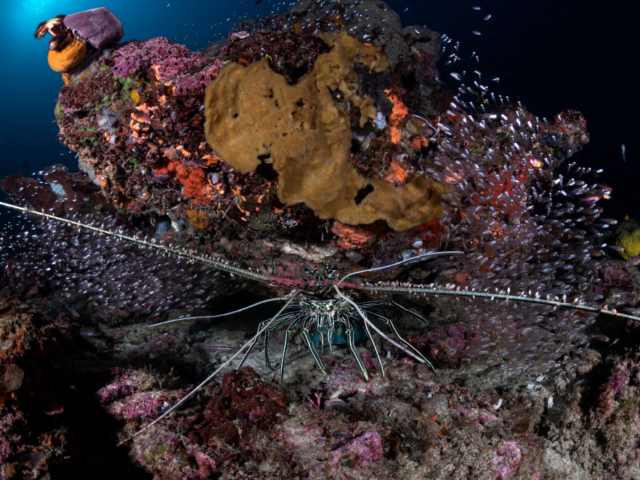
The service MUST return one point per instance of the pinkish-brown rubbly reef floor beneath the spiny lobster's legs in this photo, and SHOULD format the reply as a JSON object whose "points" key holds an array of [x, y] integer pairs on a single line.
{"points": [[86, 385]]}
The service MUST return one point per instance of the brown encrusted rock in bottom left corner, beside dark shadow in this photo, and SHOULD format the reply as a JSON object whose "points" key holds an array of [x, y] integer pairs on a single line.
{"points": [[29, 342]]}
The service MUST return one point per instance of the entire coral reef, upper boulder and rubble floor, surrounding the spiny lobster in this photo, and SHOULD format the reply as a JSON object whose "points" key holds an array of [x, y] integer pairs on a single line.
{"points": [[521, 390]]}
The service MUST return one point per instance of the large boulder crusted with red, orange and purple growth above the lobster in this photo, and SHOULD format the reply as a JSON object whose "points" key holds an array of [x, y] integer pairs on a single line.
{"points": [[137, 122]]}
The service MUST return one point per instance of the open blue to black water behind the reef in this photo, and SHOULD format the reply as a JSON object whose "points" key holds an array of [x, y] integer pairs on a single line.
{"points": [[550, 55]]}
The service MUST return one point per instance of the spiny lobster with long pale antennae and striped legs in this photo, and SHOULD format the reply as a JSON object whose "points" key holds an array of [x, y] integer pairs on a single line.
{"points": [[327, 307]]}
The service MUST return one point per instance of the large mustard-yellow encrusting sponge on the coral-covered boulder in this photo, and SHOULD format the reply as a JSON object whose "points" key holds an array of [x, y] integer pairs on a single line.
{"points": [[253, 115]]}
